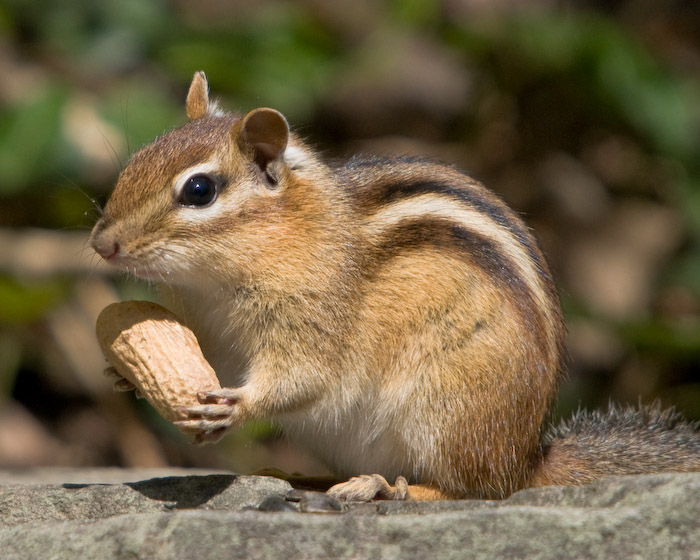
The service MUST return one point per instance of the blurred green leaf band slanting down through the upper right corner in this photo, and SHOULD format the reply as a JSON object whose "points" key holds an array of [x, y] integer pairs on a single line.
{"points": [[608, 67]]}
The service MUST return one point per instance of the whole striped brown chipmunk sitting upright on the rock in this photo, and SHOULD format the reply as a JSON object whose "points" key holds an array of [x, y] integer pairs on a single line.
{"points": [[393, 315]]}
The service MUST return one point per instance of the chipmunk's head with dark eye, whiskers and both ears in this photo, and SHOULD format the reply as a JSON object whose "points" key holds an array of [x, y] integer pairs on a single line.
{"points": [[213, 197]]}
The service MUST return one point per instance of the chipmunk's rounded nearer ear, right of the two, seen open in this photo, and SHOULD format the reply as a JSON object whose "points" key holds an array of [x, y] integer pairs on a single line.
{"points": [[265, 132]]}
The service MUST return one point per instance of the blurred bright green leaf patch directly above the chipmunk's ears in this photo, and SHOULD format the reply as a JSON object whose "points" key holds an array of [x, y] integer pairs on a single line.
{"points": [[285, 61]]}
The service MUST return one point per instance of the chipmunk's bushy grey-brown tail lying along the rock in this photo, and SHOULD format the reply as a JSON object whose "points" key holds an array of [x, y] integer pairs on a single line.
{"points": [[623, 440]]}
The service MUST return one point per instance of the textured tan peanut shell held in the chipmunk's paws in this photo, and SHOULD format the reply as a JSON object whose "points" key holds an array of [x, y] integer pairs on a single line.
{"points": [[149, 346]]}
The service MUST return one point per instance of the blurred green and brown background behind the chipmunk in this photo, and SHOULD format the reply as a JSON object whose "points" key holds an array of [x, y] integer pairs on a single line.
{"points": [[584, 116]]}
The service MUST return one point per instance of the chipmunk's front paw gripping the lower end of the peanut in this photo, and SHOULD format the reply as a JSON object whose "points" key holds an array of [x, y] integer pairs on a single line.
{"points": [[217, 412]]}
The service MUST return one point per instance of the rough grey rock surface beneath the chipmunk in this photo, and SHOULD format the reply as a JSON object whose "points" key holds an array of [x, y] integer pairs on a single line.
{"points": [[113, 513]]}
